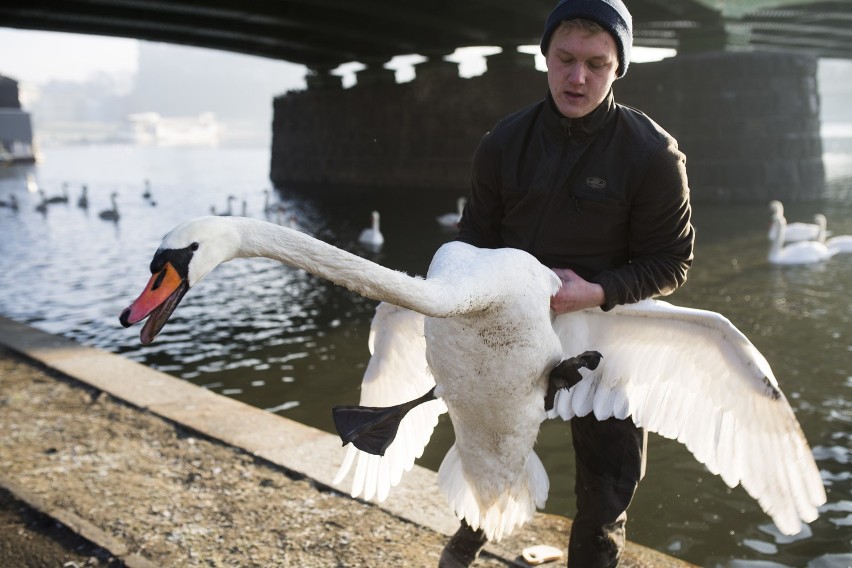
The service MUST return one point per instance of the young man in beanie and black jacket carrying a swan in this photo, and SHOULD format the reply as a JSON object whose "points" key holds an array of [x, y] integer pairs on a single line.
{"points": [[598, 192]]}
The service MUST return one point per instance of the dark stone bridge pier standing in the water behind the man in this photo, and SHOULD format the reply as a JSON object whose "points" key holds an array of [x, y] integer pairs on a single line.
{"points": [[748, 123]]}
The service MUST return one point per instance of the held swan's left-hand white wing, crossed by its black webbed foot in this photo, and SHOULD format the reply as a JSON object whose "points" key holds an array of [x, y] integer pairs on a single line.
{"points": [[397, 372]]}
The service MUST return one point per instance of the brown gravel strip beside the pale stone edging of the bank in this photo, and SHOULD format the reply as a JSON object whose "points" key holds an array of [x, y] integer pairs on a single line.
{"points": [[169, 495]]}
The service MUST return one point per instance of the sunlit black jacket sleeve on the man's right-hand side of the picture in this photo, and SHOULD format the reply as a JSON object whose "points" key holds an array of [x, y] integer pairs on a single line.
{"points": [[661, 234]]}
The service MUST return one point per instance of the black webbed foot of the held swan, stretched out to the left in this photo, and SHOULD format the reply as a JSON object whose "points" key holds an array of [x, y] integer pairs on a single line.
{"points": [[372, 429]]}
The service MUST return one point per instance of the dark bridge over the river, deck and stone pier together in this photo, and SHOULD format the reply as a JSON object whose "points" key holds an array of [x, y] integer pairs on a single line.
{"points": [[741, 95]]}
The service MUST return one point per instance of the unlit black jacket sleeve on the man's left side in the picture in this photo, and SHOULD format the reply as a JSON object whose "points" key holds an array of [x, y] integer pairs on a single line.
{"points": [[480, 222]]}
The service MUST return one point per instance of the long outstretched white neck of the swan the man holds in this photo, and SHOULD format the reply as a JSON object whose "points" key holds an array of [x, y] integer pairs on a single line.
{"points": [[262, 239]]}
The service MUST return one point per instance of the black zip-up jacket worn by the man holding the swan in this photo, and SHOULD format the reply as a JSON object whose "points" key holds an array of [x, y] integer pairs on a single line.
{"points": [[605, 195]]}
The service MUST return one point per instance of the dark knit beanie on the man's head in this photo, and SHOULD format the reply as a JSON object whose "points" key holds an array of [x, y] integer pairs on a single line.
{"points": [[612, 15]]}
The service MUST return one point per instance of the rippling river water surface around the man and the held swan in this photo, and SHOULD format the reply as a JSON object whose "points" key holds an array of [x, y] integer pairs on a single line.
{"points": [[279, 339]]}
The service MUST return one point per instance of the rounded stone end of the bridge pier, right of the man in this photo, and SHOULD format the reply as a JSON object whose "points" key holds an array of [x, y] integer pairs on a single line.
{"points": [[747, 122]]}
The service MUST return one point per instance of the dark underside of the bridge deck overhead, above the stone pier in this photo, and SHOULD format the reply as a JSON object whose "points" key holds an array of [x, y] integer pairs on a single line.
{"points": [[322, 34]]}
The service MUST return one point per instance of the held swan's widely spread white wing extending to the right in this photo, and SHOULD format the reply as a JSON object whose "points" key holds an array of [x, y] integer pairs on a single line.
{"points": [[691, 375]]}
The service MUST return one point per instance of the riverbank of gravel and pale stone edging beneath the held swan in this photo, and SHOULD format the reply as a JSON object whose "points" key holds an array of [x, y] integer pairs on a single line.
{"points": [[158, 472]]}
